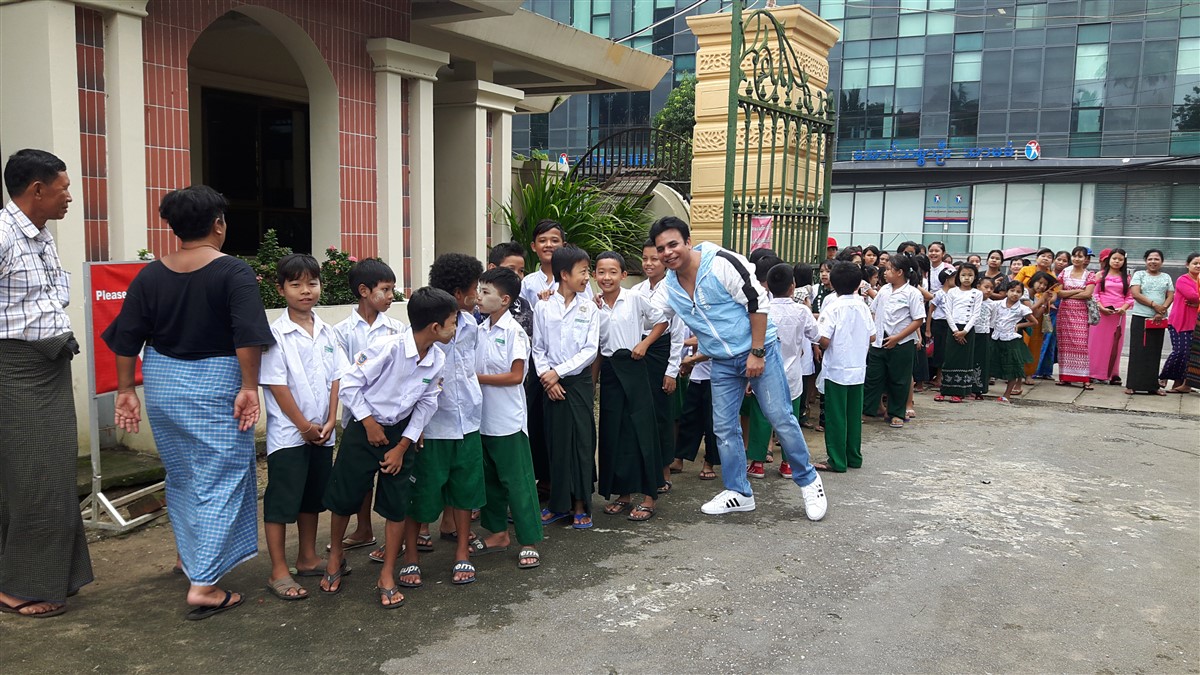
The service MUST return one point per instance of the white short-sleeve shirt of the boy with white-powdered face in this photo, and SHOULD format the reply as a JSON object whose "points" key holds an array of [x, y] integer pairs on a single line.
{"points": [[500, 345]]}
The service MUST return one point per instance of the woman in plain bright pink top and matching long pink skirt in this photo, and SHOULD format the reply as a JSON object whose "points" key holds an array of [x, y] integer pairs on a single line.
{"points": [[1107, 338]]}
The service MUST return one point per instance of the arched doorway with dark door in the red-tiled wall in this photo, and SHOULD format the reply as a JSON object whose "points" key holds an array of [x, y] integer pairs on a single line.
{"points": [[263, 129]]}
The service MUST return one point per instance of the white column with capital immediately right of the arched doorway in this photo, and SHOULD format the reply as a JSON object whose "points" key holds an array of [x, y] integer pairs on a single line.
{"points": [[400, 64]]}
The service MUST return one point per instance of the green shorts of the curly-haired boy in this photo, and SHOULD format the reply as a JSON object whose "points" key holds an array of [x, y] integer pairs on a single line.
{"points": [[451, 474]]}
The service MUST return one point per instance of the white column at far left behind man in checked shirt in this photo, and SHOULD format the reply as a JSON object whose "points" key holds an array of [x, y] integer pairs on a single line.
{"points": [[40, 109]]}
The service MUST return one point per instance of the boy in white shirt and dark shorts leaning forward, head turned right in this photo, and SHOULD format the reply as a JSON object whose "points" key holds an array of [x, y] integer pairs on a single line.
{"points": [[392, 392]]}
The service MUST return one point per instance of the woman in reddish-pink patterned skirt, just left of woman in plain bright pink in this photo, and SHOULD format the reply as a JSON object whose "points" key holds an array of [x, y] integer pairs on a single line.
{"points": [[1078, 285]]}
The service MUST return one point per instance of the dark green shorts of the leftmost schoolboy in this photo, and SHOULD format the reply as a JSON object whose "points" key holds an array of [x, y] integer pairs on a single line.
{"points": [[296, 482]]}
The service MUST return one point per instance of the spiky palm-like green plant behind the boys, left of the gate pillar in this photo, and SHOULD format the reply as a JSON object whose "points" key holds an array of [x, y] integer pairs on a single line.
{"points": [[591, 219]]}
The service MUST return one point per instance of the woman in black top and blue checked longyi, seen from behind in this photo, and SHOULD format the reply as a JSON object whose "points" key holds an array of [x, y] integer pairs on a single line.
{"points": [[200, 318]]}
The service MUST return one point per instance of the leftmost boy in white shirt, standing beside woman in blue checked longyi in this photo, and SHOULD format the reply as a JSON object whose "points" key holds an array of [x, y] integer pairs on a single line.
{"points": [[299, 378]]}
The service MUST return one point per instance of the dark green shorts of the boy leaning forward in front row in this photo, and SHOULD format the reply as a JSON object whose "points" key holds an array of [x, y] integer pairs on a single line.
{"points": [[357, 469]]}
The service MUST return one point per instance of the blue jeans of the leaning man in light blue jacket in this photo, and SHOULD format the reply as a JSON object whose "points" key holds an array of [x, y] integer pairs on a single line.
{"points": [[771, 389]]}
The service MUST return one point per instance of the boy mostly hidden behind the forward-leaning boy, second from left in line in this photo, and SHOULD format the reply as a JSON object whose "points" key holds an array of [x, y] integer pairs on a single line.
{"points": [[375, 285]]}
